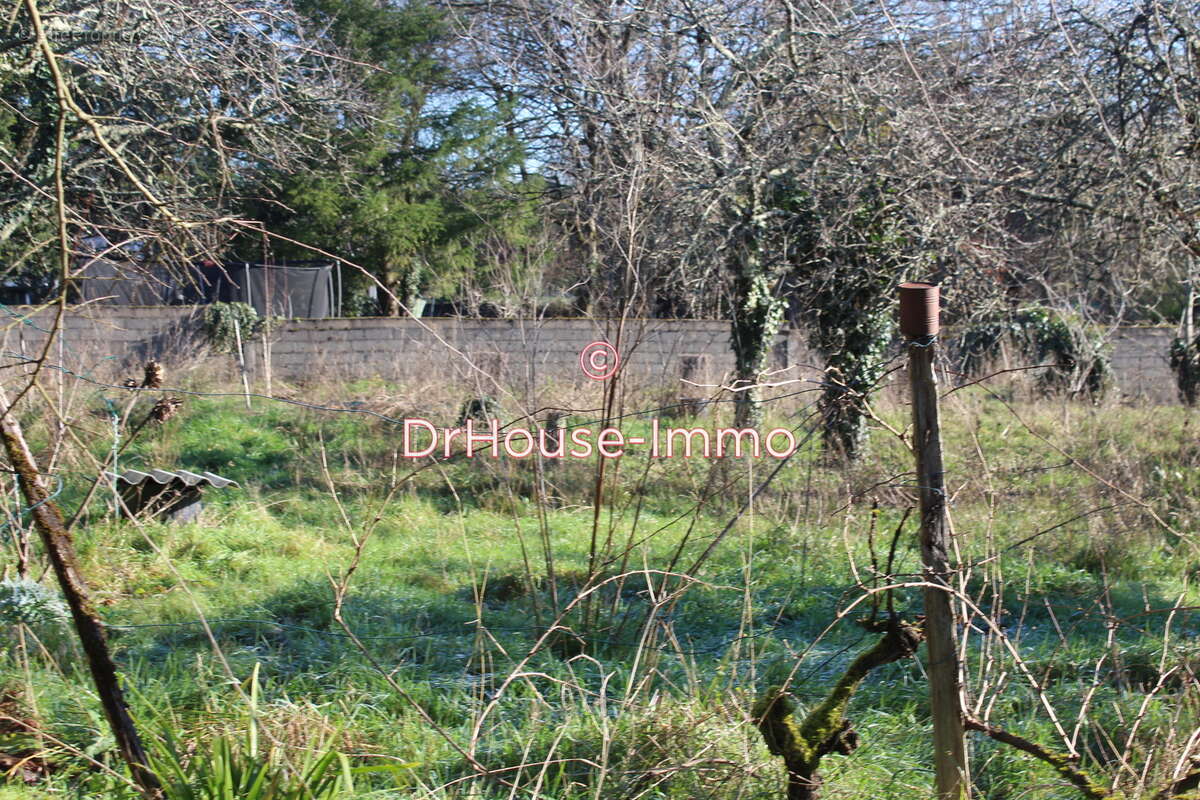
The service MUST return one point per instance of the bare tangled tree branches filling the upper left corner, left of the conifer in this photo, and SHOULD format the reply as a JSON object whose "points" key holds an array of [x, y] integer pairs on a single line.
{"points": [[151, 118]]}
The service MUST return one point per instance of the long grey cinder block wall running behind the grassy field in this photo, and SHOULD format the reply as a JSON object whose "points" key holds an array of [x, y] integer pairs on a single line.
{"points": [[110, 344]]}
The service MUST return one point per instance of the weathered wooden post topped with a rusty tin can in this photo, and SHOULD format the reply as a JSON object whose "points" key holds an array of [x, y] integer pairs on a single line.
{"points": [[919, 324]]}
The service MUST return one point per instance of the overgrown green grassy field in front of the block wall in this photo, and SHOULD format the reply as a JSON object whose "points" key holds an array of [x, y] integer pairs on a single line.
{"points": [[341, 601]]}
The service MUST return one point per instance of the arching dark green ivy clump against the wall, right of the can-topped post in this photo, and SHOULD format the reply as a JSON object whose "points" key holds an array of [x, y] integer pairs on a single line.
{"points": [[1078, 364]]}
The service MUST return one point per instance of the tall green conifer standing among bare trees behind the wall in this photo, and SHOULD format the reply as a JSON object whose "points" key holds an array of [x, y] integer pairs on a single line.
{"points": [[418, 183]]}
